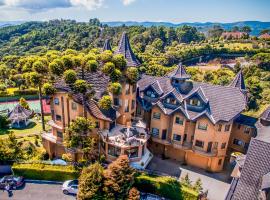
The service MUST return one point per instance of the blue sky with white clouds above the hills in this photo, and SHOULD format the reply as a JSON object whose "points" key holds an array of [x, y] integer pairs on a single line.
{"points": [[175, 11]]}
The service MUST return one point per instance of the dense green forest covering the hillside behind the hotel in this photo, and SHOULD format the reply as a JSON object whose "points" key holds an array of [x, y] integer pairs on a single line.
{"points": [[58, 45]]}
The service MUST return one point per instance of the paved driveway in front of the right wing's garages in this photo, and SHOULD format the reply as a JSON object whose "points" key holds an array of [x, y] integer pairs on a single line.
{"points": [[217, 184]]}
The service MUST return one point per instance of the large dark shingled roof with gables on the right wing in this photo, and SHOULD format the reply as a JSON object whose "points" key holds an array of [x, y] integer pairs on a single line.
{"points": [[224, 102]]}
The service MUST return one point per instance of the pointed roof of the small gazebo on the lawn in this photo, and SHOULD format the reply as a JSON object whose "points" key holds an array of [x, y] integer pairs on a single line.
{"points": [[19, 113]]}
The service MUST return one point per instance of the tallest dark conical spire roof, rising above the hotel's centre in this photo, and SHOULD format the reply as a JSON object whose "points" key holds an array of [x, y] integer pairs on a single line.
{"points": [[124, 48]]}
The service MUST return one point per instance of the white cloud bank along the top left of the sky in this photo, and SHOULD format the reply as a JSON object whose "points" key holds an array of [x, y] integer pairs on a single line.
{"points": [[50, 4]]}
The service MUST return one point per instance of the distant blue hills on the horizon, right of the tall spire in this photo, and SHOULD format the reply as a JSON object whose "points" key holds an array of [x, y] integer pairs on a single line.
{"points": [[256, 26]]}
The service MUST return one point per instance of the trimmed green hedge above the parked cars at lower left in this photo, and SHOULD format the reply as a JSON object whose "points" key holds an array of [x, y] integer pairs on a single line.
{"points": [[45, 172]]}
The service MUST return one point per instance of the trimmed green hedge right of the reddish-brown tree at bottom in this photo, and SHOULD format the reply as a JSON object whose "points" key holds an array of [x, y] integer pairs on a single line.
{"points": [[164, 186]]}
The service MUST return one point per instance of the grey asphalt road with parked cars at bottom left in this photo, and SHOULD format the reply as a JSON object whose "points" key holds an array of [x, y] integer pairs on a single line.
{"points": [[37, 191]]}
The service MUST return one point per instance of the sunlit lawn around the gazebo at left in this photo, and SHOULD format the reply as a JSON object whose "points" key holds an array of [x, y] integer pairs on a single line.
{"points": [[33, 129]]}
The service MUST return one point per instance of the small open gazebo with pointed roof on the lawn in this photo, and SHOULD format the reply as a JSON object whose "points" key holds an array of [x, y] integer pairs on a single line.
{"points": [[19, 116]]}
